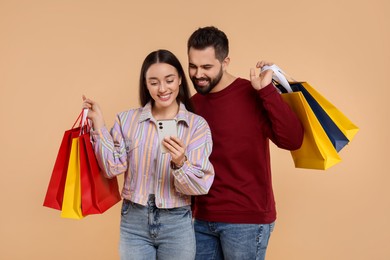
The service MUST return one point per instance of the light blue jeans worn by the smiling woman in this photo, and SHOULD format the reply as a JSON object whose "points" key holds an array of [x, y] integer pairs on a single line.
{"points": [[147, 232]]}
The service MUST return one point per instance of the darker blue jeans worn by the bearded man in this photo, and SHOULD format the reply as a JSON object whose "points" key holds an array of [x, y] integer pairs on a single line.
{"points": [[217, 241]]}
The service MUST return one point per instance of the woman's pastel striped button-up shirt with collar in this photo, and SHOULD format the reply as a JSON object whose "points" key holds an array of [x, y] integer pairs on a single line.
{"points": [[132, 148]]}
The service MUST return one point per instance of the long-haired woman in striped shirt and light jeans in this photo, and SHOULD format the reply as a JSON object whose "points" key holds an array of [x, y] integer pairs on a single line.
{"points": [[156, 220]]}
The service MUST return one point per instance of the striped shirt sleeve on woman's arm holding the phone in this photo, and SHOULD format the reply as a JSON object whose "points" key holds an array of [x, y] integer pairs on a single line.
{"points": [[196, 176]]}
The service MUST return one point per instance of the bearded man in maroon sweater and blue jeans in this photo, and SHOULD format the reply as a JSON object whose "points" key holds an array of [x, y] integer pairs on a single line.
{"points": [[235, 219]]}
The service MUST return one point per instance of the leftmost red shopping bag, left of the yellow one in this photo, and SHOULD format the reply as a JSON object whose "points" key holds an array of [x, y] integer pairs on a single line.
{"points": [[55, 190]]}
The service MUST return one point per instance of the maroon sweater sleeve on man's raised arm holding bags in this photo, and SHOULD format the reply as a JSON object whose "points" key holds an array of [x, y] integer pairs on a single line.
{"points": [[286, 131]]}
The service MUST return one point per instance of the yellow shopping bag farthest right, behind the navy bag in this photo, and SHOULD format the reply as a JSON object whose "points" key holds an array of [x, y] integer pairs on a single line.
{"points": [[348, 128]]}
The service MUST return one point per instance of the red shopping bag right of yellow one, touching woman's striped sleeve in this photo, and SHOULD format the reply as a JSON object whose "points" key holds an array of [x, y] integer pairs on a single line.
{"points": [[98, 193]]}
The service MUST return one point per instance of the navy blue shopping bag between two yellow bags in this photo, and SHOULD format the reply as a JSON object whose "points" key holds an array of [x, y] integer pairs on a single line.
{"points": [[336, 136]]}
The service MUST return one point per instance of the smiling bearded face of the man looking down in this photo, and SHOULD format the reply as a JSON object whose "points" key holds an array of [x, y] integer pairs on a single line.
{"points": [[204, 69]]}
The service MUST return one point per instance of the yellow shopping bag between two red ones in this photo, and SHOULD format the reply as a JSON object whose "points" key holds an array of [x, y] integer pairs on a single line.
{"points": [[71, 205]]}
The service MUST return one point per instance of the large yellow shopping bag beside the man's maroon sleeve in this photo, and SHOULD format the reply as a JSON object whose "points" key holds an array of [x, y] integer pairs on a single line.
{"points": [[317, 151]]}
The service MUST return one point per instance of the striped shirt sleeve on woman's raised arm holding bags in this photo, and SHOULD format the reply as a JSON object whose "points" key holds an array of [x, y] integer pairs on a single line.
{"points": [[110, 150]]}
